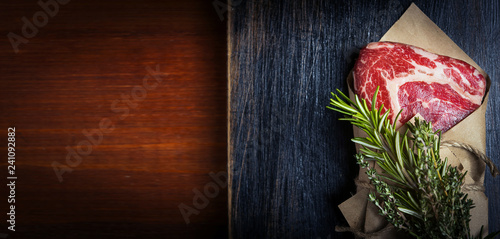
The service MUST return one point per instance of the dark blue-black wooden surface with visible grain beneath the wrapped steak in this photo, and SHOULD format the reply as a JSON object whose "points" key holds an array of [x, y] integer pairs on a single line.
{"points": [[290, 158]]}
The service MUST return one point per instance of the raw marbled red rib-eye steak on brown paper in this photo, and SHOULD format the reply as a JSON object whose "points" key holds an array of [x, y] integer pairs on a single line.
{"points": [[443, 90]]}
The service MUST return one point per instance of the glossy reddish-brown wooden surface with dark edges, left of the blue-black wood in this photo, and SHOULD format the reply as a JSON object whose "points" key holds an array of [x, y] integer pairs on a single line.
{"points": [[65, 80]]}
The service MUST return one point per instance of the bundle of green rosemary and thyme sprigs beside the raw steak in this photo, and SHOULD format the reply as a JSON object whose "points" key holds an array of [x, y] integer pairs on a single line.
{"points": [[417, 191]]}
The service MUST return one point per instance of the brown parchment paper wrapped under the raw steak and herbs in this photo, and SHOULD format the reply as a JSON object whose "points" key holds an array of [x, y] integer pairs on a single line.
{"points": [[415, 28]]}
